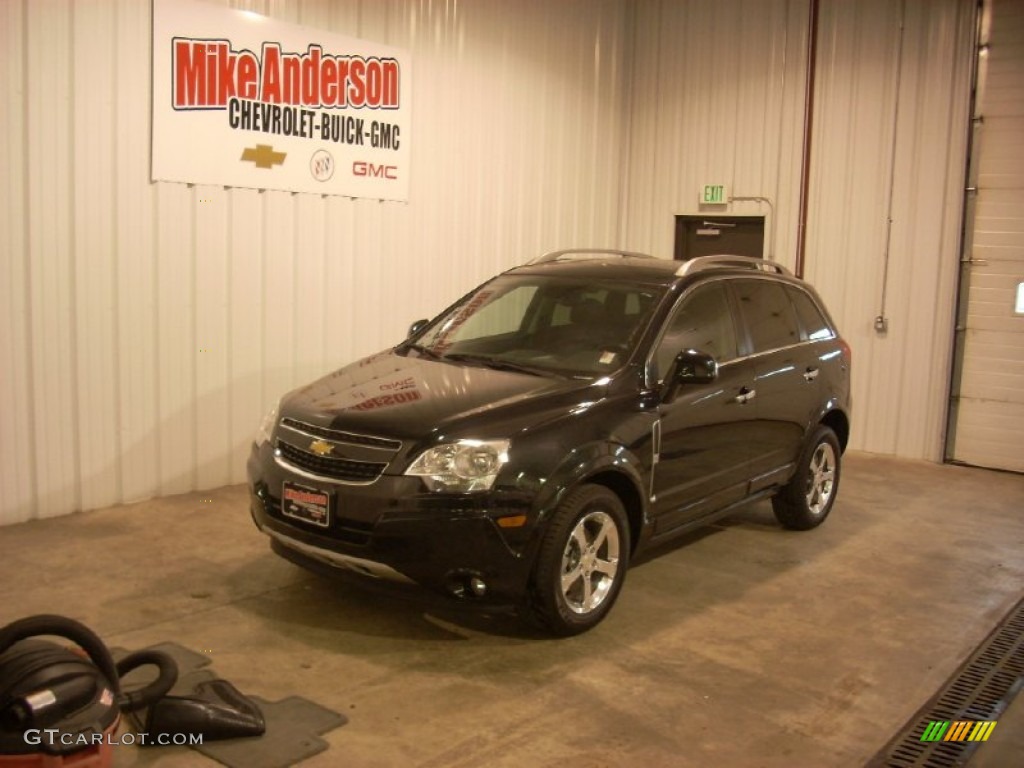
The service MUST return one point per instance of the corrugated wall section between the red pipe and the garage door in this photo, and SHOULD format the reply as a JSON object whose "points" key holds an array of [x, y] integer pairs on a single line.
{"points": [[870, 92]]}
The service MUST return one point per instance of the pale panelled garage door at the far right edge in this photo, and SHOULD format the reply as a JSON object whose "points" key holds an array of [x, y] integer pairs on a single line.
{"points": [[988, 425]]}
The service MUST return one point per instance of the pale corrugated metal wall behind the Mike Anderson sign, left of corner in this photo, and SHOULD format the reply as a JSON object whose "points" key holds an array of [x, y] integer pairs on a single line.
{"points": [[148, 327]]}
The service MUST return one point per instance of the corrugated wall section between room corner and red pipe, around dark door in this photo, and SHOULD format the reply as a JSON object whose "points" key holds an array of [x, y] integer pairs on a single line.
{"points": [[718, 98]]}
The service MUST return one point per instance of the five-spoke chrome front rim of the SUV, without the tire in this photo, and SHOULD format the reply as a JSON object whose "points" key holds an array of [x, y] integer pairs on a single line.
{"points": [[590, 563]]}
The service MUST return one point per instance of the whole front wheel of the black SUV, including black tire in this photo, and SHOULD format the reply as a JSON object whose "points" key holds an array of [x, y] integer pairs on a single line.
{"points": [[582, 563]]}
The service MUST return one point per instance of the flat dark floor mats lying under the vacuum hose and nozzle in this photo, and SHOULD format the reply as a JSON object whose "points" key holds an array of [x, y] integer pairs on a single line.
{"points": [[293, 726]]}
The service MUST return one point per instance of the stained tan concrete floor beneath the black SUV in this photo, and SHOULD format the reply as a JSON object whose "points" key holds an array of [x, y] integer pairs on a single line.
{"points": [[743, 646]]}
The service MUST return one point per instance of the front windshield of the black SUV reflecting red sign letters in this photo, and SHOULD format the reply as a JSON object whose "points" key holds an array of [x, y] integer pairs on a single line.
{"points": [[542, 325]]}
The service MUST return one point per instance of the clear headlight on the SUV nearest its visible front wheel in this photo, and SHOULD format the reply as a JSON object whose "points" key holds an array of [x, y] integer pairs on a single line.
{"points": [[461, 466]]}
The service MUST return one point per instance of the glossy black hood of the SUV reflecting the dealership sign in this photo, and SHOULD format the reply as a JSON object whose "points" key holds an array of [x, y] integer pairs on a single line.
{"points": [[394, 396]]}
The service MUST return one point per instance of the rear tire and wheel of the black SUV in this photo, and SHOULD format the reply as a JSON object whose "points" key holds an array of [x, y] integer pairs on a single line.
{"points": [[806, 501]]}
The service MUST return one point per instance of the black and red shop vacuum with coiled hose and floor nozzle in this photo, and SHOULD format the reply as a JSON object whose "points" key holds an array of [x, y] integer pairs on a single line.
{"points": [[61, 708]]}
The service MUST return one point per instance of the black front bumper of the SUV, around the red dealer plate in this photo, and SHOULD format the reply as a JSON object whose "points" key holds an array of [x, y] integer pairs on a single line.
{"points": [[394, 530]]}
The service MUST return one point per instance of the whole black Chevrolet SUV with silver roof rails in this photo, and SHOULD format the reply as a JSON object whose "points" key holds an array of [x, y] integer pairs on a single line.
{"points": [[529, 442]]}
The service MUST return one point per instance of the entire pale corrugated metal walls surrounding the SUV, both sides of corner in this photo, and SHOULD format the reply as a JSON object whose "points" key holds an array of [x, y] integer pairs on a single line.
{"points": [[149, 326]]}
